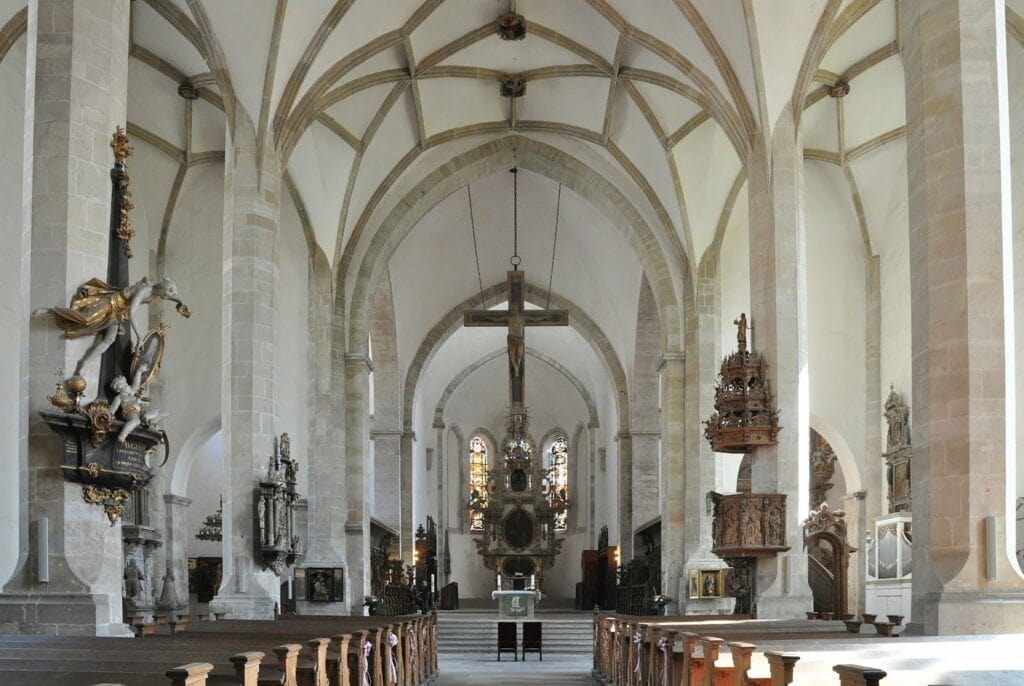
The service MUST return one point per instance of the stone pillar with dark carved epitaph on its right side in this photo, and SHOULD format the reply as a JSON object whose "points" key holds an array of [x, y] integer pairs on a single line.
{"points": [[252, 209]]}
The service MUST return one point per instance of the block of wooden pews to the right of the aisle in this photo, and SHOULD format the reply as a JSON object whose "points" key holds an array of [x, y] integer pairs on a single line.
{"points": [[630, 653]]}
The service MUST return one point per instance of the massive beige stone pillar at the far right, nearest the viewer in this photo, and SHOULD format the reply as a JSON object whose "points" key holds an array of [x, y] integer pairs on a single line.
{"points": [[958, 134]]}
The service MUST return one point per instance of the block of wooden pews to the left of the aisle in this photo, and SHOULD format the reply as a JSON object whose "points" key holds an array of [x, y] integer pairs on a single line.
{"points": [[347, 652]]}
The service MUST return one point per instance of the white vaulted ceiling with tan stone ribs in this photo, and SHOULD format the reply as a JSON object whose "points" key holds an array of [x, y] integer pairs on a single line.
{"points": [[663, 98]]}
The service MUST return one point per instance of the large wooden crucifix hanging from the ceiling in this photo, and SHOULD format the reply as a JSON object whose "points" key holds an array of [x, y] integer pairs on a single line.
{"points": [[517, 318]]}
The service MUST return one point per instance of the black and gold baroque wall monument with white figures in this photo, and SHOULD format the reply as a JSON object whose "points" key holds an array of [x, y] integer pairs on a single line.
{"points": [[108, 310]]}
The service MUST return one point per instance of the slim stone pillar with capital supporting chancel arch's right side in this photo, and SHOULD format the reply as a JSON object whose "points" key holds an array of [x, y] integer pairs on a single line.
{"points": [[673, 497]]}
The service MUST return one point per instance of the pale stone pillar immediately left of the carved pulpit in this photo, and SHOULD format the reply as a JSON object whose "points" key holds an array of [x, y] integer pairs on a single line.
{"points": [[703, 360]]}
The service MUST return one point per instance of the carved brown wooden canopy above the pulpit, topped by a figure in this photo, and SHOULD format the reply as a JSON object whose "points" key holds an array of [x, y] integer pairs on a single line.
{"points": [[745, 416]]}
